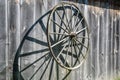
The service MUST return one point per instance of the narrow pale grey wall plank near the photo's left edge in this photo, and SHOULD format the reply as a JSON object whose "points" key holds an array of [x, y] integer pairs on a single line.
{"points": [[7, 47]]}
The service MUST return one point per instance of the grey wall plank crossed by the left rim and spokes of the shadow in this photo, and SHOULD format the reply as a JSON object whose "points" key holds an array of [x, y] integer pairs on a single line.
{"points": [[27, 19]]}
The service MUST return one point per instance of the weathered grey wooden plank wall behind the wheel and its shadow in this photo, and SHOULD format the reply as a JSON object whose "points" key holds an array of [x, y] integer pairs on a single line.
{"points": [[17, 16]]}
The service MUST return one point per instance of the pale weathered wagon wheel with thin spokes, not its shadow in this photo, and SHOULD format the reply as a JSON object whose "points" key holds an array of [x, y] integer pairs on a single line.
{"points": [[72, 44]]}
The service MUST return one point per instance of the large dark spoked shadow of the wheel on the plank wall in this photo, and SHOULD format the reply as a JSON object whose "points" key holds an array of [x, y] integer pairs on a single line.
{"points": [[43, 65]]}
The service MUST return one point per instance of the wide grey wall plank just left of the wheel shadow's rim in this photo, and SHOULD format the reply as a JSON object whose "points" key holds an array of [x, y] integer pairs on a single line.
{"points": [[13, 32]]}
